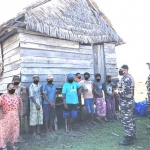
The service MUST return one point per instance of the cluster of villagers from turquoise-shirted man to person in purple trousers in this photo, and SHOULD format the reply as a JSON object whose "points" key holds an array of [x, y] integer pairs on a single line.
{"points": [[92, 93]]}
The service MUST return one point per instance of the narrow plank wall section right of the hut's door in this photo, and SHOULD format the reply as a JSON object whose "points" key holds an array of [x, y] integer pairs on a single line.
{"points": [[110, 60]]}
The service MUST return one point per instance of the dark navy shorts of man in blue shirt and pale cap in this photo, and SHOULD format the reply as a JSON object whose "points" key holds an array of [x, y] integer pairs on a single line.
{"points": [[49, 112]]}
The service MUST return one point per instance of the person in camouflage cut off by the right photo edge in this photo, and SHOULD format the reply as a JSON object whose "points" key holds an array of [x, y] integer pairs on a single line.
{"points": [[148, 96]]}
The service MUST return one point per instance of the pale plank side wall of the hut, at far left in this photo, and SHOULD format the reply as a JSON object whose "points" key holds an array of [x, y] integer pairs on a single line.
{"points": [[11, 61]]}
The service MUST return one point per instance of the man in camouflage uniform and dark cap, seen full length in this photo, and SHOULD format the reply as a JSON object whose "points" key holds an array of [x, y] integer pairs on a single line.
{"points": [[126, 97]]}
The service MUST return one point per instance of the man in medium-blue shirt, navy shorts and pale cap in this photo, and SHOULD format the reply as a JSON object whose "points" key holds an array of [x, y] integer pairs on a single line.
{"points": [[49, 91]]}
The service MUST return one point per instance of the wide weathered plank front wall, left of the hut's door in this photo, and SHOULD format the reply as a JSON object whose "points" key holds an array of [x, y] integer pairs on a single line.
{"points": [[44, 55]]}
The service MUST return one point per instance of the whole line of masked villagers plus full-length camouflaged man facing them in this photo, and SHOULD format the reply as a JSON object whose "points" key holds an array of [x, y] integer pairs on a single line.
{"points": [[102, 94]]}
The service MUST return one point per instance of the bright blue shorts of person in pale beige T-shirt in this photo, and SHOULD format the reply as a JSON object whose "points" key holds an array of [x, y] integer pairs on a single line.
{"points": [[89, 104]]}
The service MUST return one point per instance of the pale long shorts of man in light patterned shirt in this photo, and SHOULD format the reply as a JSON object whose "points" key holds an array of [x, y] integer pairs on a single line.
{"points": [[36, 116]]}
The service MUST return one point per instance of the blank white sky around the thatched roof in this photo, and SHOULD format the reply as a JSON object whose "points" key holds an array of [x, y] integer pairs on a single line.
{"points": [[131, 20]]}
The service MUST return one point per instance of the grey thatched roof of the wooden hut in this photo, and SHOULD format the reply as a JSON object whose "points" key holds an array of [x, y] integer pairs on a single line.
{"points": [[76, 20]]}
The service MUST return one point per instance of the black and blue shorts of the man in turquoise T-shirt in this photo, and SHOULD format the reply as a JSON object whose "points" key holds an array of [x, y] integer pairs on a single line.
{"points": [[71, 111]]}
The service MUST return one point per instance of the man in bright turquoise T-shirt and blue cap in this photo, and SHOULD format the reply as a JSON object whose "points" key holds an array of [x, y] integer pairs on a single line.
{"points": [[70, 97]]}
